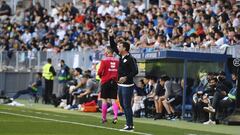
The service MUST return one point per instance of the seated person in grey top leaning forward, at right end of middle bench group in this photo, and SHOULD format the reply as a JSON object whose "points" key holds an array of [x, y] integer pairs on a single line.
{"points": [[172, 97]]}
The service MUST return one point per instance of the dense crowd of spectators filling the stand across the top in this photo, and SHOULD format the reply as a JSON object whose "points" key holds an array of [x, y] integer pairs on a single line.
{"points": [[175, 24]]}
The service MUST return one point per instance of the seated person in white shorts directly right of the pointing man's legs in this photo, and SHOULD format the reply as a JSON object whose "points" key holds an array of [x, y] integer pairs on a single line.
{"points": [[139, 96]]}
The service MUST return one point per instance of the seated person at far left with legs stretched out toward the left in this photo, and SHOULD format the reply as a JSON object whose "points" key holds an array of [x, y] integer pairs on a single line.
{"points": [[32, 88]]}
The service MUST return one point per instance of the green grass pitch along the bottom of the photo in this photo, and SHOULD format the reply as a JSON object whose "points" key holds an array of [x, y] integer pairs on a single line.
{"points": [[39, 119]]}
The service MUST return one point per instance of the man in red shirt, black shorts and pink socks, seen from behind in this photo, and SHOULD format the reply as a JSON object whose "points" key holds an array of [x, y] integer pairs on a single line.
{"points": [[108, 72]]}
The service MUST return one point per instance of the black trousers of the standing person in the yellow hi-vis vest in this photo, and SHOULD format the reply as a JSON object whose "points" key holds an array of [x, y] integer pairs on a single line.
{"points": [[47, 96]]}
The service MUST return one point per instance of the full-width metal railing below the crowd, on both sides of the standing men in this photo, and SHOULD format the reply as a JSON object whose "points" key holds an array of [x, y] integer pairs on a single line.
{"points": [[33, 61]]}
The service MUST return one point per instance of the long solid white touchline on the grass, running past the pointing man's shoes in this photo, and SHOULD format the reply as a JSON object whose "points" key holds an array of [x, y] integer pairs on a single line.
{"points": [[71, 122]]}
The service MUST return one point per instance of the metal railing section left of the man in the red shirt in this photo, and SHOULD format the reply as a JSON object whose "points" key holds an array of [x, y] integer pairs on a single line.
{"points": [[33, 61]]}
